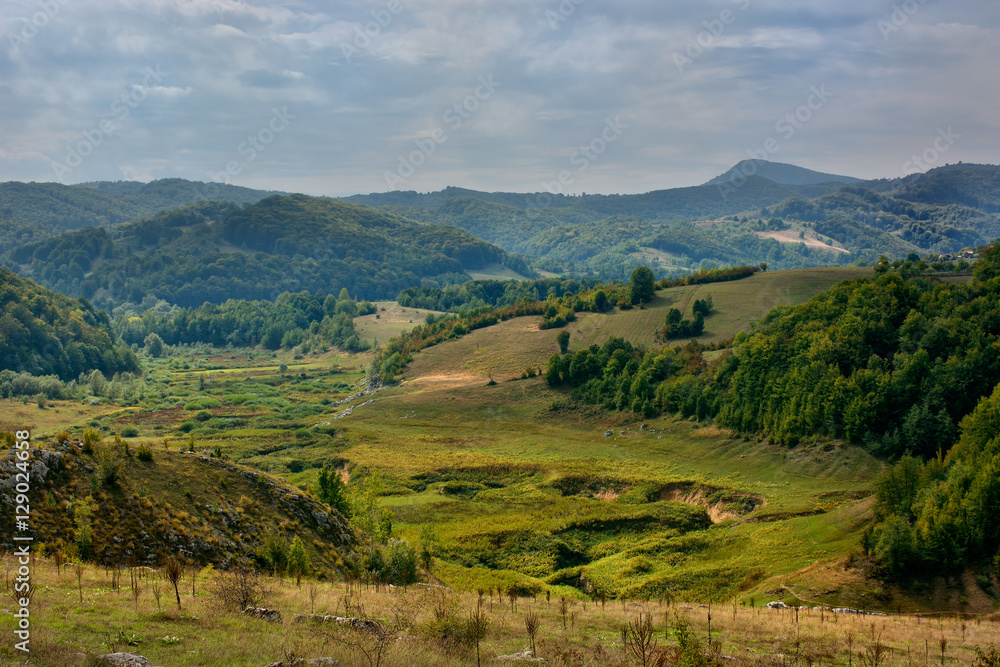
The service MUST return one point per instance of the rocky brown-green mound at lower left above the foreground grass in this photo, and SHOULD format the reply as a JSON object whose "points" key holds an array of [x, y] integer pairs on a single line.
{"points": [[206, 509]]}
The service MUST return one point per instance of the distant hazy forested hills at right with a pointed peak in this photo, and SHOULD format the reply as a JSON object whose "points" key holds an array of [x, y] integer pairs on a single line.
{"points": [[797, 222]]}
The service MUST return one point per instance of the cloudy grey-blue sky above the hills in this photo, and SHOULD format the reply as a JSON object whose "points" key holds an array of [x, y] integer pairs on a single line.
{"points": [[575, 96]]}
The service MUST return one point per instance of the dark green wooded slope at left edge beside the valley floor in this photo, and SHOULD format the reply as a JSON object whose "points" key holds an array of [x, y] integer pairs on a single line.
{"points": [[44, 333]]}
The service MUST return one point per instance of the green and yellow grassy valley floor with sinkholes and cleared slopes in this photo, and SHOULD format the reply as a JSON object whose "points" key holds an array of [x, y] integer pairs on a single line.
{"points": [[525, 488]]}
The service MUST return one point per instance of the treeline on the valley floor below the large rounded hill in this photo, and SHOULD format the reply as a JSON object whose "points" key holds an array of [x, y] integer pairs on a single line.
{"points": [[289, 321]]}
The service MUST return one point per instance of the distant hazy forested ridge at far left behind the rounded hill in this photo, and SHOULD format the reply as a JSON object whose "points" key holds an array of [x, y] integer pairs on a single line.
{"points": [[52, 207]]}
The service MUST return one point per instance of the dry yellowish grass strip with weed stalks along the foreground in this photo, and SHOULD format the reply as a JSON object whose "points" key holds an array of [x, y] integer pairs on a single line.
{"points": [[95, 611]]}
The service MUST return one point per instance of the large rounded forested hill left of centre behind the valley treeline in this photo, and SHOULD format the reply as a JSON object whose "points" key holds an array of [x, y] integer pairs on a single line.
{"points": [[211, 252]]}
